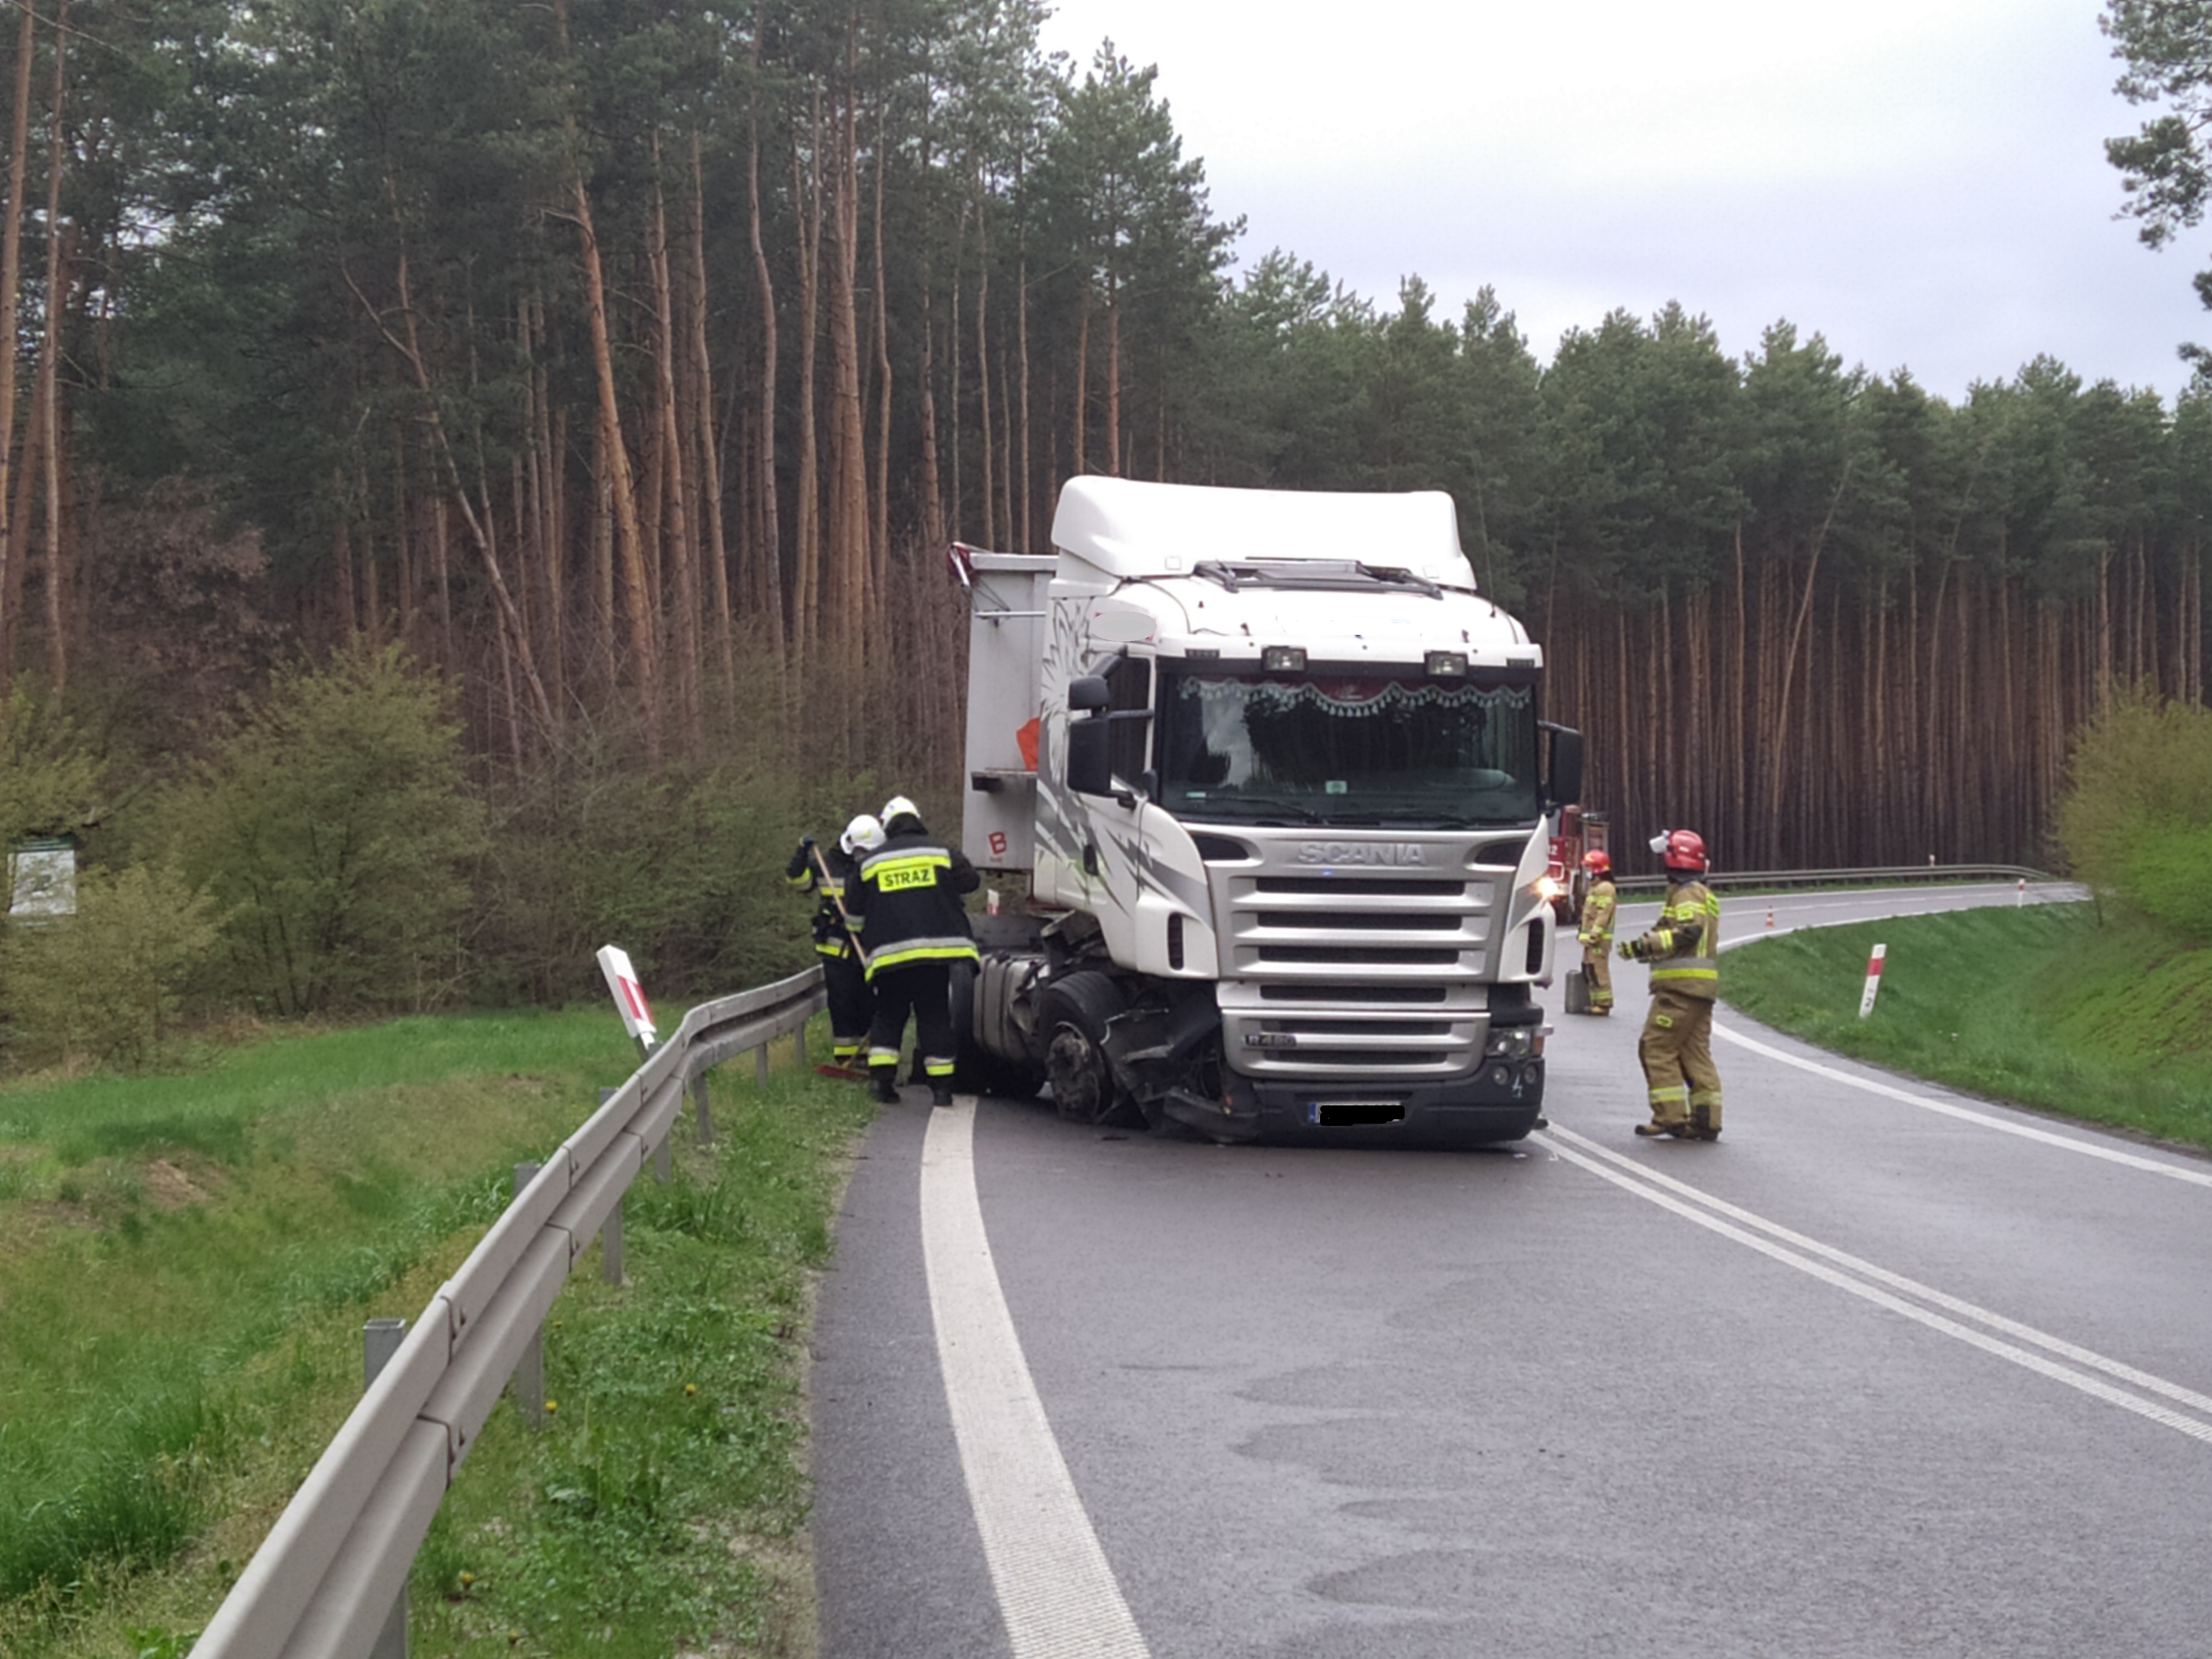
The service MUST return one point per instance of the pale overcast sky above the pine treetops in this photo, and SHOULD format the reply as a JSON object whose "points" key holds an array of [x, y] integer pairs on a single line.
{"points": [[1921, 182]]}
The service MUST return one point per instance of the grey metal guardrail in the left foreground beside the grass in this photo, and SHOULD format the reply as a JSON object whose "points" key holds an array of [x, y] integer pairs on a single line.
{"points": [[335, 1563]]}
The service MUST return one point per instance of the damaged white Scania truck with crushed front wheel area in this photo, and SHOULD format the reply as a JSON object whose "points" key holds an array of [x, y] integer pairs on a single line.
{"points": [[1264, 791]]}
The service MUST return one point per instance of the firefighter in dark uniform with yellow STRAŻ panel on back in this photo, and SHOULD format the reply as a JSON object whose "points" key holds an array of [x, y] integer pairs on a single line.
{"points": [[912, 928]]}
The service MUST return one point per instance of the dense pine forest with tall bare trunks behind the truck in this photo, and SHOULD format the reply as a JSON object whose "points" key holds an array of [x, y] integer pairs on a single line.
{"points": [[634, 362]]}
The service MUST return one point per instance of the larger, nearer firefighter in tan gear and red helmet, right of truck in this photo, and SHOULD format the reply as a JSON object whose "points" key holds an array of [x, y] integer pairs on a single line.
{"points": [[1684, 954]]}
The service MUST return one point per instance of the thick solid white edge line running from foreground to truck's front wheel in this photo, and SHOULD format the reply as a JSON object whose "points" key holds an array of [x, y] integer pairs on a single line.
{"points": [[1054, 1585]]}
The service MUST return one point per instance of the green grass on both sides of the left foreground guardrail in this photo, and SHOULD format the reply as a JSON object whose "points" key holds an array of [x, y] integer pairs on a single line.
{"points": [[185, 1271]]}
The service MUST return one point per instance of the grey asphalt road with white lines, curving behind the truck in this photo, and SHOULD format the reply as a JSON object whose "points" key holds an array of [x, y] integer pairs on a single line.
{"points": [[1886, 1370]]}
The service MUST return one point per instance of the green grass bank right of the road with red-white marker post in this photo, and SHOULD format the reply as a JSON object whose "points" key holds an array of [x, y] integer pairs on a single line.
{"points": [[2038, 1005]]}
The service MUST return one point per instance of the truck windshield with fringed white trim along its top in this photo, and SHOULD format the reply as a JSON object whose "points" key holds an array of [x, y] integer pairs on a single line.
{"points": [[1339, 749]]}
